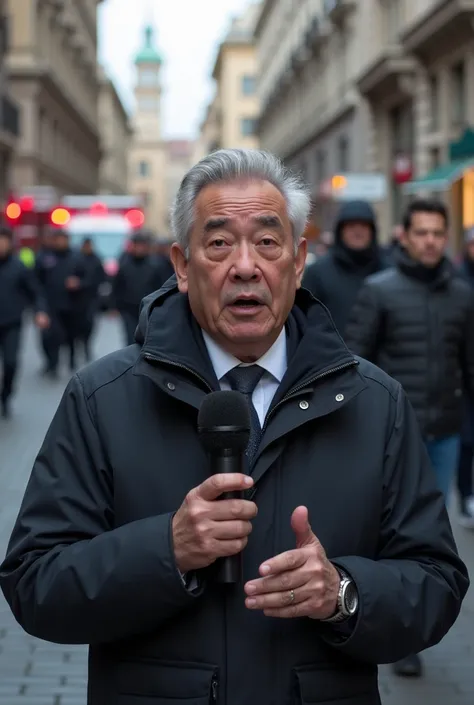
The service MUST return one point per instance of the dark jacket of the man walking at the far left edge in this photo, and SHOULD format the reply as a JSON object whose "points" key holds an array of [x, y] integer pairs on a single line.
{"points": [[18, 289]]}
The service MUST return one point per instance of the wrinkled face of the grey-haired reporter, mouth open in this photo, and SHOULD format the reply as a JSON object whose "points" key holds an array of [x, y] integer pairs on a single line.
{"points": [[242, 272]]}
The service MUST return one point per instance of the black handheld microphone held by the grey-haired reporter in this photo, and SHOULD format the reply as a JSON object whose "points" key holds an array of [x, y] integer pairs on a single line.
{"points": [[224, 430]]}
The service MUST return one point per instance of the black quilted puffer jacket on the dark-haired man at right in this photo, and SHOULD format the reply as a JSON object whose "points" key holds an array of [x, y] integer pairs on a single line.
{"points": [[418, 326]]}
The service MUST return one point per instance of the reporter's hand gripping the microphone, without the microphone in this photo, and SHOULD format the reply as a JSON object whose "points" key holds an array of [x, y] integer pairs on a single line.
{"points": [[205, 529]]}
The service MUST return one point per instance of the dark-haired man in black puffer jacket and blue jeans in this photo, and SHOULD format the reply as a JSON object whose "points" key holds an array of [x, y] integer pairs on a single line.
{"points": [[417, 322]]}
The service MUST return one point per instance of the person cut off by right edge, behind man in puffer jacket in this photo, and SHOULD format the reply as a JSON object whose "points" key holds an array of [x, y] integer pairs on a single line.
{"points": [[466, 455]]}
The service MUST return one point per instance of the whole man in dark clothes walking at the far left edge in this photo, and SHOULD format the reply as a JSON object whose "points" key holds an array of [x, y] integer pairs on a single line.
{"points": [[18, 289]]}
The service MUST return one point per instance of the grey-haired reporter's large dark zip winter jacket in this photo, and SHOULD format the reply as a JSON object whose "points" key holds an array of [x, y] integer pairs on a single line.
{"points": [[91, 556]]}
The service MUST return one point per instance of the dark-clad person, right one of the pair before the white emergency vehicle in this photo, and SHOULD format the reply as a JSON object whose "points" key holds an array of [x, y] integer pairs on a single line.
{"points": [[89, 299]]}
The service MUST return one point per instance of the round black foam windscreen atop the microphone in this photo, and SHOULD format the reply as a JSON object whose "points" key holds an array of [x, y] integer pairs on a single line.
{"points": [[221, 412]]}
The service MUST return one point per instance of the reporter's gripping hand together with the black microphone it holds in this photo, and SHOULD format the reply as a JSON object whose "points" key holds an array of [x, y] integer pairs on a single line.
{"points": [[214, 522]]}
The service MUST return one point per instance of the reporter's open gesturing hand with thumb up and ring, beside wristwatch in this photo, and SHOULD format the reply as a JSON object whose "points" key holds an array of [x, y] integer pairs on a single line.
{"points": [[298, 583]]}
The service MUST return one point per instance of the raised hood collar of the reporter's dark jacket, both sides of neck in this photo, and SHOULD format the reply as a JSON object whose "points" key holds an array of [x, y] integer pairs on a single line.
{"points": [[169, 333]]}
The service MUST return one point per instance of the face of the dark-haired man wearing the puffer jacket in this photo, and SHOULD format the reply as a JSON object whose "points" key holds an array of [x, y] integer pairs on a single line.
{"points": [[426, 238]]}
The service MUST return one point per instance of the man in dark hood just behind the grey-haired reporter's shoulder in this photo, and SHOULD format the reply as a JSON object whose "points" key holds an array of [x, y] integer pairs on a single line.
{"points": [[336, 278]]}
